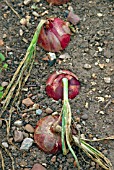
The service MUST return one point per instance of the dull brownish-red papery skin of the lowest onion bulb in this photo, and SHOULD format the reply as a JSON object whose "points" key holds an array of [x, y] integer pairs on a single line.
{"points": [[45, 137]]}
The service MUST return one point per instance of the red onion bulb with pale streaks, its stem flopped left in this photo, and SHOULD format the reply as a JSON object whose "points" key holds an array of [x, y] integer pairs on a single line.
{"points": [[54, 35]]}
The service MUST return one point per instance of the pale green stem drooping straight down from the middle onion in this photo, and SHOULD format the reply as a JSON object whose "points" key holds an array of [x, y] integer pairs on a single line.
{"points": [[66, 122]]}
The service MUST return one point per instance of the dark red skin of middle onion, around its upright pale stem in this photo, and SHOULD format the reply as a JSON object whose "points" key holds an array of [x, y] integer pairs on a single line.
{"points": [[54, 85]]}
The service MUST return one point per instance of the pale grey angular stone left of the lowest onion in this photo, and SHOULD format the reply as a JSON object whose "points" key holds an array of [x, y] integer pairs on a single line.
{"points": [[26, 144]]}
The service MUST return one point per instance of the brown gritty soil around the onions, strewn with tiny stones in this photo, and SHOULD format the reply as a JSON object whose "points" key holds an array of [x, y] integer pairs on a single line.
{"points": [[91, 43]]}
